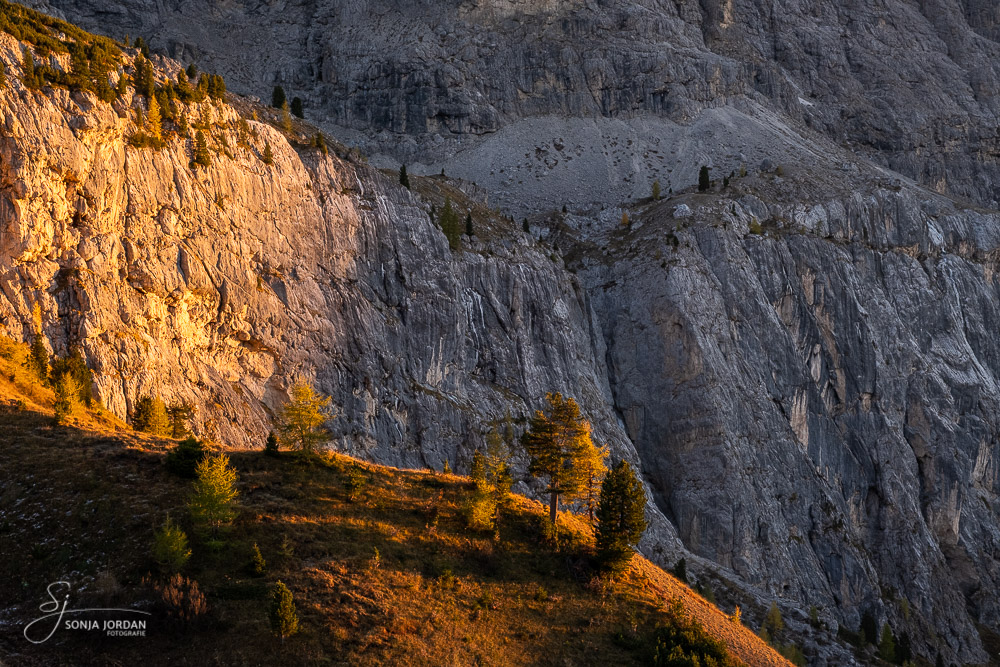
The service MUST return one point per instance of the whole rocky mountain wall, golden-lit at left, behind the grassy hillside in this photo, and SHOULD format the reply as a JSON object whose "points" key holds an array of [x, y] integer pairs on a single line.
{"points": [[803, 365]]}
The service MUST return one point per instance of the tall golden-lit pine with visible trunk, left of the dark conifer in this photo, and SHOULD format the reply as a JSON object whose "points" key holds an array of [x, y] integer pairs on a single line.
{"points": [[556, 443]]}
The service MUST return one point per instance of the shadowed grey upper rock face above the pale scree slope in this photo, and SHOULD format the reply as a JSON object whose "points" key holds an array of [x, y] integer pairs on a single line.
{"points": [[912, 84]]}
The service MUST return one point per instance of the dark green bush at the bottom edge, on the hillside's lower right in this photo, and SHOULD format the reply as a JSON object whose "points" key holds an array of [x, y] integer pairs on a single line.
{"points": [[683, 642]]}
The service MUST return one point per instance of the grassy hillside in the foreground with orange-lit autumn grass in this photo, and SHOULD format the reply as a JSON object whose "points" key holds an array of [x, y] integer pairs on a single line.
{"points": [[81, 503]]}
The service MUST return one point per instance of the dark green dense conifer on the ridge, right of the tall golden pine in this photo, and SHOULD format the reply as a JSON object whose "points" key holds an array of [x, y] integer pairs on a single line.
{"points": [[620, 517]]}
